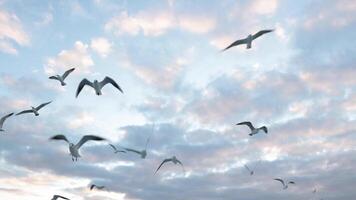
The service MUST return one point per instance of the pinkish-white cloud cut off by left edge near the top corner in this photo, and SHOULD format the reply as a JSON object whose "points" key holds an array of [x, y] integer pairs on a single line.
{"points": [[11, 31]]}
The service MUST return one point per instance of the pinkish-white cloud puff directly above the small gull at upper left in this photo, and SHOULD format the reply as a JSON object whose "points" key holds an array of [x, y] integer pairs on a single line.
{"points": [[77, 57]]}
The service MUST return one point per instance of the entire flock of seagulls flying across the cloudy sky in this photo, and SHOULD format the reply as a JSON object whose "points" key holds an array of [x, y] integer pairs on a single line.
{"points": [[98, 85]]}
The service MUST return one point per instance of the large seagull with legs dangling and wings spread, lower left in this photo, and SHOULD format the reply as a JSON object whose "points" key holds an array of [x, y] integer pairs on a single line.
{"points": [[74, 148]]}
